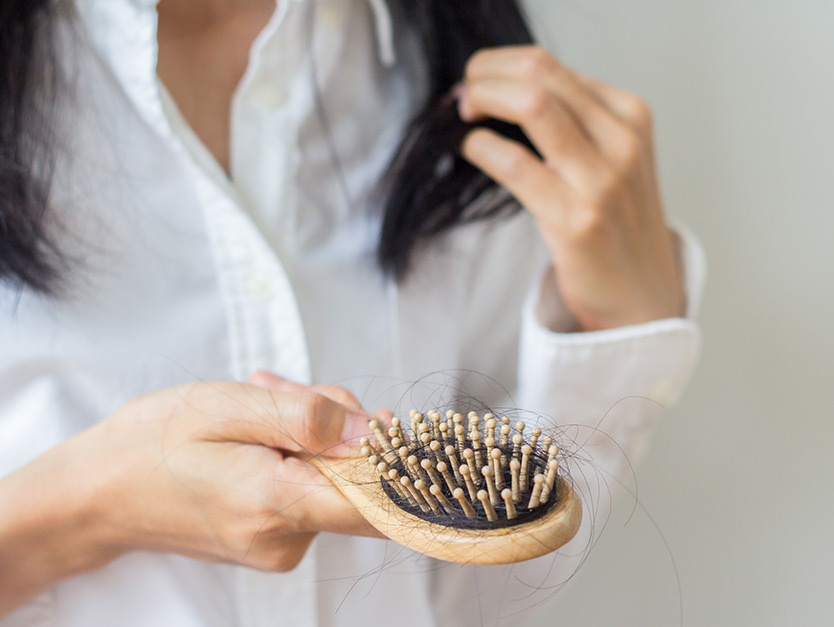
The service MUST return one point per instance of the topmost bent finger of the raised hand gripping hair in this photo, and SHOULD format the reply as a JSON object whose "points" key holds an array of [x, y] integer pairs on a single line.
{"points": [[536, 66]]}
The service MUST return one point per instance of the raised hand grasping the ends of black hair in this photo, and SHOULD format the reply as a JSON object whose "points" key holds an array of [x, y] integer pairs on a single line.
{"points": [[593, 192]]}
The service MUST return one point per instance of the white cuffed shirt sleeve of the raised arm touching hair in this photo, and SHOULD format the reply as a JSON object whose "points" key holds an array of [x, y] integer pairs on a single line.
{"points": [[602, 393]]}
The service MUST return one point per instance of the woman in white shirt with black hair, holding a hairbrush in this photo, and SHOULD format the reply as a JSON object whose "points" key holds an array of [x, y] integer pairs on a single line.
{"points": [[212, 170]]}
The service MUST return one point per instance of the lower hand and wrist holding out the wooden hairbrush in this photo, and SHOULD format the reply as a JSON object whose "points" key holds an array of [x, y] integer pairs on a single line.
{"points": [[214, 471]]}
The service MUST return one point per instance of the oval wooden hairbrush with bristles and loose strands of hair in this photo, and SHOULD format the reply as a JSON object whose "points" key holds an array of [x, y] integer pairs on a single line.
{"points": [[461, 489]]}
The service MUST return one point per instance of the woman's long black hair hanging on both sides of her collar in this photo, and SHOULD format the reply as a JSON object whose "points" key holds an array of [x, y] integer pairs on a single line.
{"points": [[427, 190]]}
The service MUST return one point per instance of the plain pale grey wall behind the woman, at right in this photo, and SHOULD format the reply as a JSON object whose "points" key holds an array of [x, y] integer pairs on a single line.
{"points": [[739, 478]]}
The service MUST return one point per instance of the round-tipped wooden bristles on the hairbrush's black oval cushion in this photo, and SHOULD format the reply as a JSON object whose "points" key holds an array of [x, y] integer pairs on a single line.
{"points": [[465, 472]]}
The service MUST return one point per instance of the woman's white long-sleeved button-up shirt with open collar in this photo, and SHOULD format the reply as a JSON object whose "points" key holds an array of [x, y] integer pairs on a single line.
{"points": [[183, 273]]}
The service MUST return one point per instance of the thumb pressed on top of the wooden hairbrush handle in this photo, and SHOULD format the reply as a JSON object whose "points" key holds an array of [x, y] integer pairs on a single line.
{"points": [[293, 421]]}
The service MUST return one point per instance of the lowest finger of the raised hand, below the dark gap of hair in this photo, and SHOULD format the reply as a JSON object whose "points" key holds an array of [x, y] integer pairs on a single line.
{"points": [[512, 165]]}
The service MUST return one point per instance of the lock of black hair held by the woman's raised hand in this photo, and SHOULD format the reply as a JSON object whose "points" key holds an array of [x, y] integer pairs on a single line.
{"points": [[429, 188]]}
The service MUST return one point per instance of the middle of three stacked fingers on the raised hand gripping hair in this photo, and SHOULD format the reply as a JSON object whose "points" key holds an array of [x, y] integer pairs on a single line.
{"points": [[549, 125]]}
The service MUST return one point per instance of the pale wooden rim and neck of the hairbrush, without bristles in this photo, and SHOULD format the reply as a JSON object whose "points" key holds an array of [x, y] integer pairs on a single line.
{"points": [[361, 485]]}
